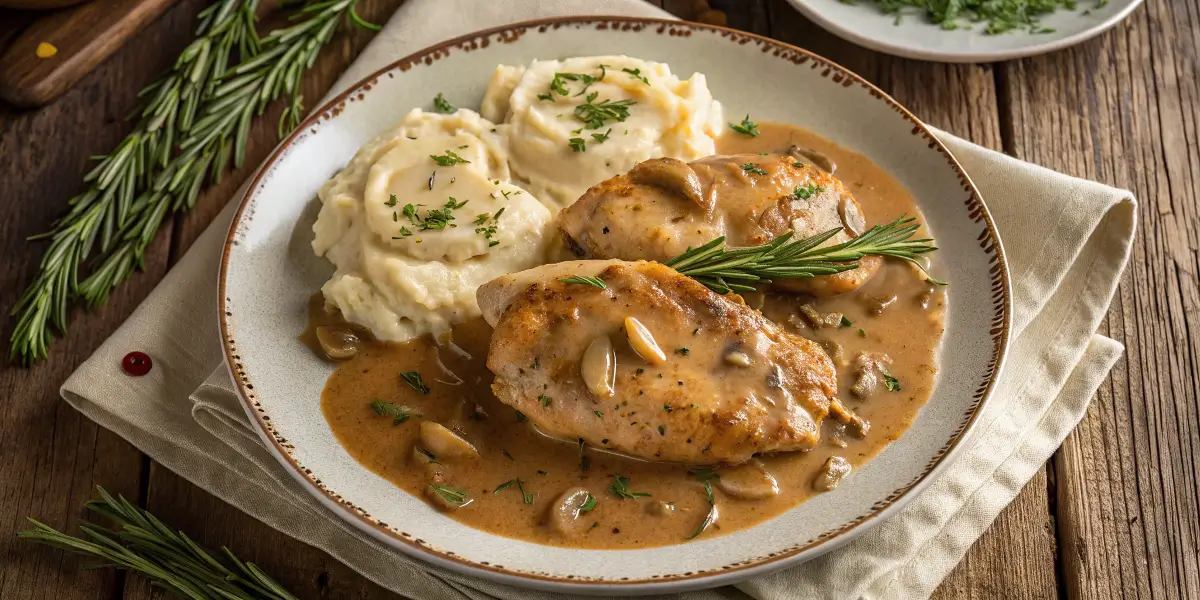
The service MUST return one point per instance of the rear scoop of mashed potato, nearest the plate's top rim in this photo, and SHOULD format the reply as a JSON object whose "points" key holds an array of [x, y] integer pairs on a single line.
{"points": [[579, 122]]}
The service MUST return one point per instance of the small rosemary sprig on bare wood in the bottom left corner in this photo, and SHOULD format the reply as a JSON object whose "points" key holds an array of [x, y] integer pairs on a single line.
{"points": [[170, 560]]}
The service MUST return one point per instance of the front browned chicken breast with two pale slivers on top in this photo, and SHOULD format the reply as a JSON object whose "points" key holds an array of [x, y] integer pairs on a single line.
{"points": [[725, 385]]}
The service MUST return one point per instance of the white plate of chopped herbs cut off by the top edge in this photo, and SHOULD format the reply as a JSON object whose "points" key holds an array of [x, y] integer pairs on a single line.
{"points": [[915, 38]]}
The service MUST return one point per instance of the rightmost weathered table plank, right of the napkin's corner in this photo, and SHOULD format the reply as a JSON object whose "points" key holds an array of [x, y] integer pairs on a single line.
{"points": [[1125, 110]]}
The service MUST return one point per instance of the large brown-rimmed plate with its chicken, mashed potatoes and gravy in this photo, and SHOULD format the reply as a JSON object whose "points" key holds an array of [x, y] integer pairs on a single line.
{"points": [[609, 305]]}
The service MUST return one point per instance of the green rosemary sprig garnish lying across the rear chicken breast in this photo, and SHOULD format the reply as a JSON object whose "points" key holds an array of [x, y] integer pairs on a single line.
{"points": [[725, 271]]}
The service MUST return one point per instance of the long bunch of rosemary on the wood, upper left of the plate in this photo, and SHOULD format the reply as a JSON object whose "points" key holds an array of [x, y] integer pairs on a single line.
{"points": [[195, 122]]}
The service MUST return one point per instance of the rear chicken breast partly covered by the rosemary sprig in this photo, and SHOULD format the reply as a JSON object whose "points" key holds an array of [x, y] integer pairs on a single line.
{"points": [[664, 206]]}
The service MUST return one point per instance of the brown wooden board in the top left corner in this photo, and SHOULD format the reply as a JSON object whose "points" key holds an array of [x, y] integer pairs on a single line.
{"points": [[82, 38]]}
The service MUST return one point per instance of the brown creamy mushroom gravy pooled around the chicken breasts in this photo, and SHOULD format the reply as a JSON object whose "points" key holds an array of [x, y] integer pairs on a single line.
{"points": [[908, 332]]}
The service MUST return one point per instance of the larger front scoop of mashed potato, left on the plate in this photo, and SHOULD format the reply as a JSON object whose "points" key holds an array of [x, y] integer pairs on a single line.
{"points": [[421, 218]]}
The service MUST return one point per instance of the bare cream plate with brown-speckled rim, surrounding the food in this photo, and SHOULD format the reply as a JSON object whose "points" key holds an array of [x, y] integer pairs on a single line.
{"points": [[268, 273]]}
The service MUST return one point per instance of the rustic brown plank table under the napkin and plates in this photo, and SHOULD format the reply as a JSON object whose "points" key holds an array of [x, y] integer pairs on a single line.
{"points": [[1117, 513]]}
